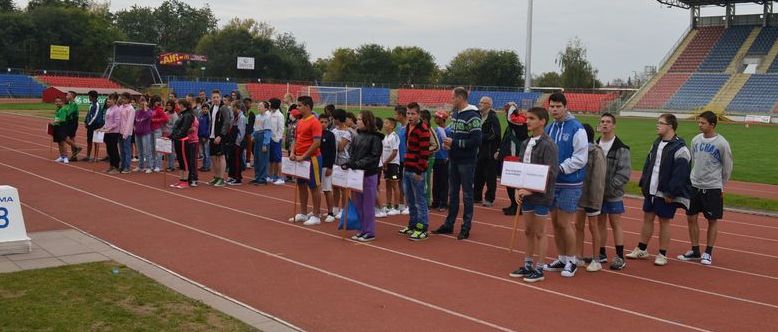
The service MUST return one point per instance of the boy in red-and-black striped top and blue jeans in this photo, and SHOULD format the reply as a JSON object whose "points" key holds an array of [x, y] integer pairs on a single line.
{"points": [[417, 153]]}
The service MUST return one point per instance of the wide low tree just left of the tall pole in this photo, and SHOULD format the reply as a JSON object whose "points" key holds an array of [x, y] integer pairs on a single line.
{"points": [[484, 67]]}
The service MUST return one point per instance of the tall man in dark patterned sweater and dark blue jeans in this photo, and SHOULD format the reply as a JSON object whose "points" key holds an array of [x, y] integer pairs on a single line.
{"points": [[463, 152]]}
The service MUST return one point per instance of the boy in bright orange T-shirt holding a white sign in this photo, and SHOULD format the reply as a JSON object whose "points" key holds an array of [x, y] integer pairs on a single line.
{"points": [[306, 148]]}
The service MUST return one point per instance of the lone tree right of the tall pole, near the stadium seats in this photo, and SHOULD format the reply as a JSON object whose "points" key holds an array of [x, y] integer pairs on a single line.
{"points": [[577, 71]]}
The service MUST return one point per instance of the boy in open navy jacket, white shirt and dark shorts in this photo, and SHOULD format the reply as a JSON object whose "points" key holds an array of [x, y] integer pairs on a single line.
{"points": [[665, 186]]}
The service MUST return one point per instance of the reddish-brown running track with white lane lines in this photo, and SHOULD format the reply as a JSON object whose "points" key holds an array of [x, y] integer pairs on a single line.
{"points": [[237, 241]]}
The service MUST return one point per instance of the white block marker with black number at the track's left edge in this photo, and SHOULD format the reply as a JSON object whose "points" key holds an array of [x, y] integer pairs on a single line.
{"points": [[13, 234]]}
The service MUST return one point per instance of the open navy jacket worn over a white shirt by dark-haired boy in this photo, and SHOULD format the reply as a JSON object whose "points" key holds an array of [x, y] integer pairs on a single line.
{"points": [[674, 171]]}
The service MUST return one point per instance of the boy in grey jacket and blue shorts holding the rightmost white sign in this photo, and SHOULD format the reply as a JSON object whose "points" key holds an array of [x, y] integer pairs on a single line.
{"points": [[538, 149]]}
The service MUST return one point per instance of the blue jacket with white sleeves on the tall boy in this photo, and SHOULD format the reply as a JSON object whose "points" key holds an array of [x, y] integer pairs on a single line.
{"points": [[573, 146]]}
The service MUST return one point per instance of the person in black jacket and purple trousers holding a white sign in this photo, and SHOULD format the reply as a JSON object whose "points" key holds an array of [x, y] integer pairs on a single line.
{"points": [[365, 153]]}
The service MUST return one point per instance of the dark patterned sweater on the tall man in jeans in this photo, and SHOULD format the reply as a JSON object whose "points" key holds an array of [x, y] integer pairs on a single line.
{"points": [[466, 135]]}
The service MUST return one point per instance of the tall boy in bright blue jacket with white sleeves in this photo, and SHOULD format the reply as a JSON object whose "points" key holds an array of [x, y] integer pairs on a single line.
{"points": [[573, 147]]}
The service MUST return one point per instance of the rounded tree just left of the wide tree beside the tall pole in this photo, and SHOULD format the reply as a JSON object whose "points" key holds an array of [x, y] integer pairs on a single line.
{"points": [[413, 65]]}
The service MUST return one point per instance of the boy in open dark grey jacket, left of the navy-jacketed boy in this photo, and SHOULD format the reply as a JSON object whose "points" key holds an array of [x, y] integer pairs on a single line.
{"points": [[618, 169]]}
